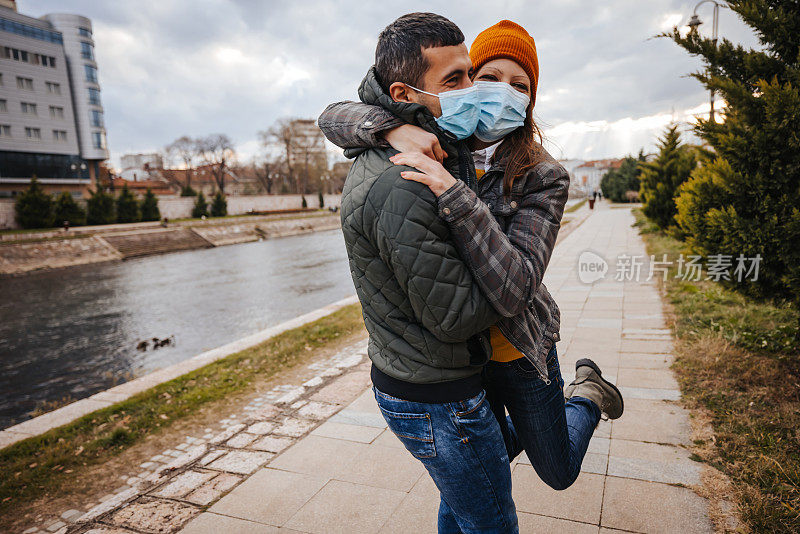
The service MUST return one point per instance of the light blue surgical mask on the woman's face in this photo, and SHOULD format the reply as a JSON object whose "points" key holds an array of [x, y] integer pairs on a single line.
{"points": [[503, 110]]}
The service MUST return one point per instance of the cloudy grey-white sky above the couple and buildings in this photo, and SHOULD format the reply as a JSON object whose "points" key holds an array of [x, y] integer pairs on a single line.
{"points": [[194, 67]]}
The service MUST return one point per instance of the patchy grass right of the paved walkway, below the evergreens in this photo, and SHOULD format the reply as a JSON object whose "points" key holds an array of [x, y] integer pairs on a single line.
{"points": [[737, 358]]}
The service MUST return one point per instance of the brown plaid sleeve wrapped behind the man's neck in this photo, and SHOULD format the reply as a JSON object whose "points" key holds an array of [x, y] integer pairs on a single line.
{"points": [[356, 125]]}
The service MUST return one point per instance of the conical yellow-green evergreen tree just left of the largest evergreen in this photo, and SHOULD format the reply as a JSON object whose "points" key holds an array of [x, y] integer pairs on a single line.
{"points": [[660, 179]]}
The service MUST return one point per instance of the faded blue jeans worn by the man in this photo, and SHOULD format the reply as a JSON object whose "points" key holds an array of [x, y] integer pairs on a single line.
{"points": [[461, 446]]}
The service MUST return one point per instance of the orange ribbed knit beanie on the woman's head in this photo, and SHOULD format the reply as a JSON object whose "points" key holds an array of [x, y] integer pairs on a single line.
{"points": [[509, 40]]}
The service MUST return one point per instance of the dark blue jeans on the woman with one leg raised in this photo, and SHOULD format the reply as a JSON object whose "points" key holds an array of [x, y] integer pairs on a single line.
{"points": [[555, 434]]}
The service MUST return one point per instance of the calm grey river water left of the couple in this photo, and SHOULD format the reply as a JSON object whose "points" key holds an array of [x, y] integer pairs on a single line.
{"points": [[72, 332]]}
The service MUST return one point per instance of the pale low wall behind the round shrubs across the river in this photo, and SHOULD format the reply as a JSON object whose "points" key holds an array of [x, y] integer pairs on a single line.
{"points": [[181, 207]]}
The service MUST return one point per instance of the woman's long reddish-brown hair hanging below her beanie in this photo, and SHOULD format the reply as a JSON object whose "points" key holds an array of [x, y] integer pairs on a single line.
{"points": [[521, 149]]}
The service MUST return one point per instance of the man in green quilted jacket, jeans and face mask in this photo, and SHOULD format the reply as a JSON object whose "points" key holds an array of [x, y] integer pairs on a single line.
{"points": [[425, 315]]}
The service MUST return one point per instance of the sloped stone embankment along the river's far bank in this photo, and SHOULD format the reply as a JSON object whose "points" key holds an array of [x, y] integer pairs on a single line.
{"points": [[55, 252]]}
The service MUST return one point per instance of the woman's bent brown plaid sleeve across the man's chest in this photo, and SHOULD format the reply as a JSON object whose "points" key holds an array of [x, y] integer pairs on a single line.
{"points": [[509, 266]]}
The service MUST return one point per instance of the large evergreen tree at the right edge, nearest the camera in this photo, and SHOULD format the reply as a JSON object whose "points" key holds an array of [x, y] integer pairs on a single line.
{"points": [[746, 201]]}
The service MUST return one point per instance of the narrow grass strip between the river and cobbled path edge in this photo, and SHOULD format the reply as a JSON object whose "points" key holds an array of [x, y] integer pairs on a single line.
{"points": [[31, 468]]}
